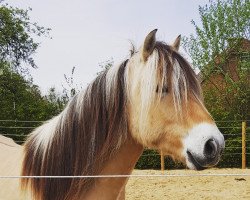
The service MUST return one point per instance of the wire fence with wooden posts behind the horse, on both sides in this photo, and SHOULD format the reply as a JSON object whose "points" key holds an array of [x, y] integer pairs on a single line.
{"points": [[236, 154]]}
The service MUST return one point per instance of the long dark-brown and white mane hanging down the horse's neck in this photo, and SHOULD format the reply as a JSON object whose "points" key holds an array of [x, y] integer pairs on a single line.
{"points": [[85, 133]]}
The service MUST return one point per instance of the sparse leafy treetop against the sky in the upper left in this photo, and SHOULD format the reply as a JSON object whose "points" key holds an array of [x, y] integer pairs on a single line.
{"points": [[17, 45]]}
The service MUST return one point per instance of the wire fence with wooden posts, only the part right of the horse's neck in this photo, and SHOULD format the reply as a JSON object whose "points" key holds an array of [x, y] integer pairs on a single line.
{"points": [[236, 154]]}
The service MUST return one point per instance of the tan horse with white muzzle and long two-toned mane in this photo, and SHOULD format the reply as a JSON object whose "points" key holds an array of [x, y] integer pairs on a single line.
{"points": [[153, 99]]}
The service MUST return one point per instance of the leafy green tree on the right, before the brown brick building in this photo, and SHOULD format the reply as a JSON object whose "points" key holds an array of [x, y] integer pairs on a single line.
{"points": [[220, 49]]}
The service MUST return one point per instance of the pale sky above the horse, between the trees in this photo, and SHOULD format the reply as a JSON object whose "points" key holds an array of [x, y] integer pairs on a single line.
{"points": [[88, 32]]}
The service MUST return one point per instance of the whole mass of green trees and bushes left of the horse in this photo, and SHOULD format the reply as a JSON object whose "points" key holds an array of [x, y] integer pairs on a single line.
{"points": [[20, 99]]}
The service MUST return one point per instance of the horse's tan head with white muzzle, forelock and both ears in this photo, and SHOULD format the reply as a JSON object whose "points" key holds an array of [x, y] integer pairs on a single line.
{"points": [[165, 107]]}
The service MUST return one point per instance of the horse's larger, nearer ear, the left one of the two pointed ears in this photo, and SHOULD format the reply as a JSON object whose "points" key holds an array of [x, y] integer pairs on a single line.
{"points": [[149, 45]]}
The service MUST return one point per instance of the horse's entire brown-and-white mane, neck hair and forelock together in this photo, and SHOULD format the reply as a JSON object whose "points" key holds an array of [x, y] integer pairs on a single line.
{"points": [[93, 126]]}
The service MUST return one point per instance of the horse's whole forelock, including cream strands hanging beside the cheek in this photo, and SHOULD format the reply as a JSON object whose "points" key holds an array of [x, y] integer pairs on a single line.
{"points": [[165, 67]]}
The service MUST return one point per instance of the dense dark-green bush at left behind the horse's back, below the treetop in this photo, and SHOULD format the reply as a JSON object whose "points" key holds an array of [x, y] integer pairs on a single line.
{"points": [[21, 102]]}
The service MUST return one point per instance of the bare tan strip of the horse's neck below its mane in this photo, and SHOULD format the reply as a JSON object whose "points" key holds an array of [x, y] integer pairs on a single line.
{"points": [[122, 163]]}
